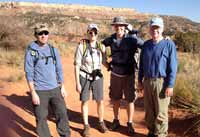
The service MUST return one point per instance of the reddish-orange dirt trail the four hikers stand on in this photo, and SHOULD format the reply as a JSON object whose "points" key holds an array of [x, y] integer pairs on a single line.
{"points": [[17, 118]]}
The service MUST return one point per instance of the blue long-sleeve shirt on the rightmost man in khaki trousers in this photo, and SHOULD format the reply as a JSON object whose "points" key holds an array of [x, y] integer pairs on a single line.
{"points": [[158, 60]]}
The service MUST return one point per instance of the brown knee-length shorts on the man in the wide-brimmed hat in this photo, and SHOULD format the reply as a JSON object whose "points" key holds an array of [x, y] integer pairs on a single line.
{"points": [[120, 86]]}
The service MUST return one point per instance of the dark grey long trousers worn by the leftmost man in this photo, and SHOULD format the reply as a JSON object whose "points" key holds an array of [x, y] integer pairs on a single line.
{"points": [[57, 102]]}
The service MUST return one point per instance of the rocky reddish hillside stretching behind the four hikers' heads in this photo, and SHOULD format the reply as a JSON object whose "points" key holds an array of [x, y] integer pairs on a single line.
{"points": [[70, 21]]}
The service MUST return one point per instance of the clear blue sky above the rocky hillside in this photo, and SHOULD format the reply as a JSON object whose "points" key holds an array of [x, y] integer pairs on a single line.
{"points": [[186, 8]]}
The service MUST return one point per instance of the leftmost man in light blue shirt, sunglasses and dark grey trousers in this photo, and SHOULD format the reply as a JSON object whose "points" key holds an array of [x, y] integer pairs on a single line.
{"points": [[46, 83]]}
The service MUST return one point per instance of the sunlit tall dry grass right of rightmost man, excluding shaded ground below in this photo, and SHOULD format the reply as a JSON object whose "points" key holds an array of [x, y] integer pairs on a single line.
{"points": [[188, 78]]}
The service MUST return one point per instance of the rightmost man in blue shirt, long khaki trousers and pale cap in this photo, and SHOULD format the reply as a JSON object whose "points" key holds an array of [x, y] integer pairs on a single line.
{"points": [[157, 73]]}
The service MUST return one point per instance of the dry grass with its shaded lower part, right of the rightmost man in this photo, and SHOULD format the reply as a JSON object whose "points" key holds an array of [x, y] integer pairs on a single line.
{"points": [[187, 89]]}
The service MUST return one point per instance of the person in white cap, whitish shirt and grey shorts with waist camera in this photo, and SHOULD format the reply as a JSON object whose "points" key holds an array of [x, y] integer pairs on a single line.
{"points": [[87, 61]]}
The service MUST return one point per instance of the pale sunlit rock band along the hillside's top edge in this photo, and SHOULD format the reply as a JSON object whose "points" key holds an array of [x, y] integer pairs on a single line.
{"points": [[70, 9]]}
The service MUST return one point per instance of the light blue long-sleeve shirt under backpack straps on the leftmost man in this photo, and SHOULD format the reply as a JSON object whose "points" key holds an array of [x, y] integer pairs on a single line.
{"points": [[44, 74]]}
